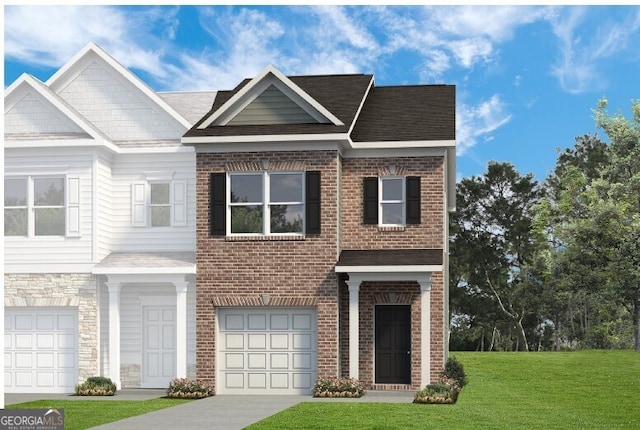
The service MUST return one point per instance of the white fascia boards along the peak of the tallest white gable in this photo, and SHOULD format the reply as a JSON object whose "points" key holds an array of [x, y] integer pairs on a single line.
{"points": [[124, 72]]}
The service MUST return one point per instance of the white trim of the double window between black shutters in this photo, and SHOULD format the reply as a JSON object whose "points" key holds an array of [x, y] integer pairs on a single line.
{"points": [[266, 203]]}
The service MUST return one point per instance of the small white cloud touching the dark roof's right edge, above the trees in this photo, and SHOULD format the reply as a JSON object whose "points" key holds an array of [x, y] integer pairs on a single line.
{"points": [[478, 122]]}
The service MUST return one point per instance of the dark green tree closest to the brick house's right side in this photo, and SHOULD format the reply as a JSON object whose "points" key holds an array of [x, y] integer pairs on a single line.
{"points": [[494, 250]]}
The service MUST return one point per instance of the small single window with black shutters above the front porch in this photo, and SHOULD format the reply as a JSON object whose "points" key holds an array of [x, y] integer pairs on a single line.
{"points": [[391, 200]]}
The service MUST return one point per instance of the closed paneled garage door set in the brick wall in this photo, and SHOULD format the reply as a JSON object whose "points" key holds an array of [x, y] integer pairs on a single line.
{"points": [[267, 350]]}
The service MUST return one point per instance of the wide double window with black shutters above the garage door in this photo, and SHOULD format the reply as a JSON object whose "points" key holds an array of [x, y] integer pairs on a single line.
{"points": [[265, 203]]}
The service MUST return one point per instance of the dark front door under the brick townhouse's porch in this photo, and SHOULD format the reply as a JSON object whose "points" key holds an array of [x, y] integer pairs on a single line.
{"points": [[393, 344]]}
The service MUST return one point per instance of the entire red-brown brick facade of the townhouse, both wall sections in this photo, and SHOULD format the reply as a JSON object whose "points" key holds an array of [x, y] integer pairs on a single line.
{"points": [[295, 271]]}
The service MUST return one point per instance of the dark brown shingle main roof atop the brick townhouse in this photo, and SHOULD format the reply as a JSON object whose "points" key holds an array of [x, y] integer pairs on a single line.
{"points": [[389, 113]]}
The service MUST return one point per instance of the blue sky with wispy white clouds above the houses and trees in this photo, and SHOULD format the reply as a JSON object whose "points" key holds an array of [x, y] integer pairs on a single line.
{"points": [[527, 77]]}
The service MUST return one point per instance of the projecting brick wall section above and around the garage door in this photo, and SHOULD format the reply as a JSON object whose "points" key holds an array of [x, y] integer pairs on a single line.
{"points": [[294, 272]]}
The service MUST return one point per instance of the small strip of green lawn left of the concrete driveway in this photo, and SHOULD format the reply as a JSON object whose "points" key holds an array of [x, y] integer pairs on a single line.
{"points": [[84, 414]]}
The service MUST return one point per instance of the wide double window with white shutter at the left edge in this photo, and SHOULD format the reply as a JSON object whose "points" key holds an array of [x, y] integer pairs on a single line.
{"points": [[40, 206]]}
